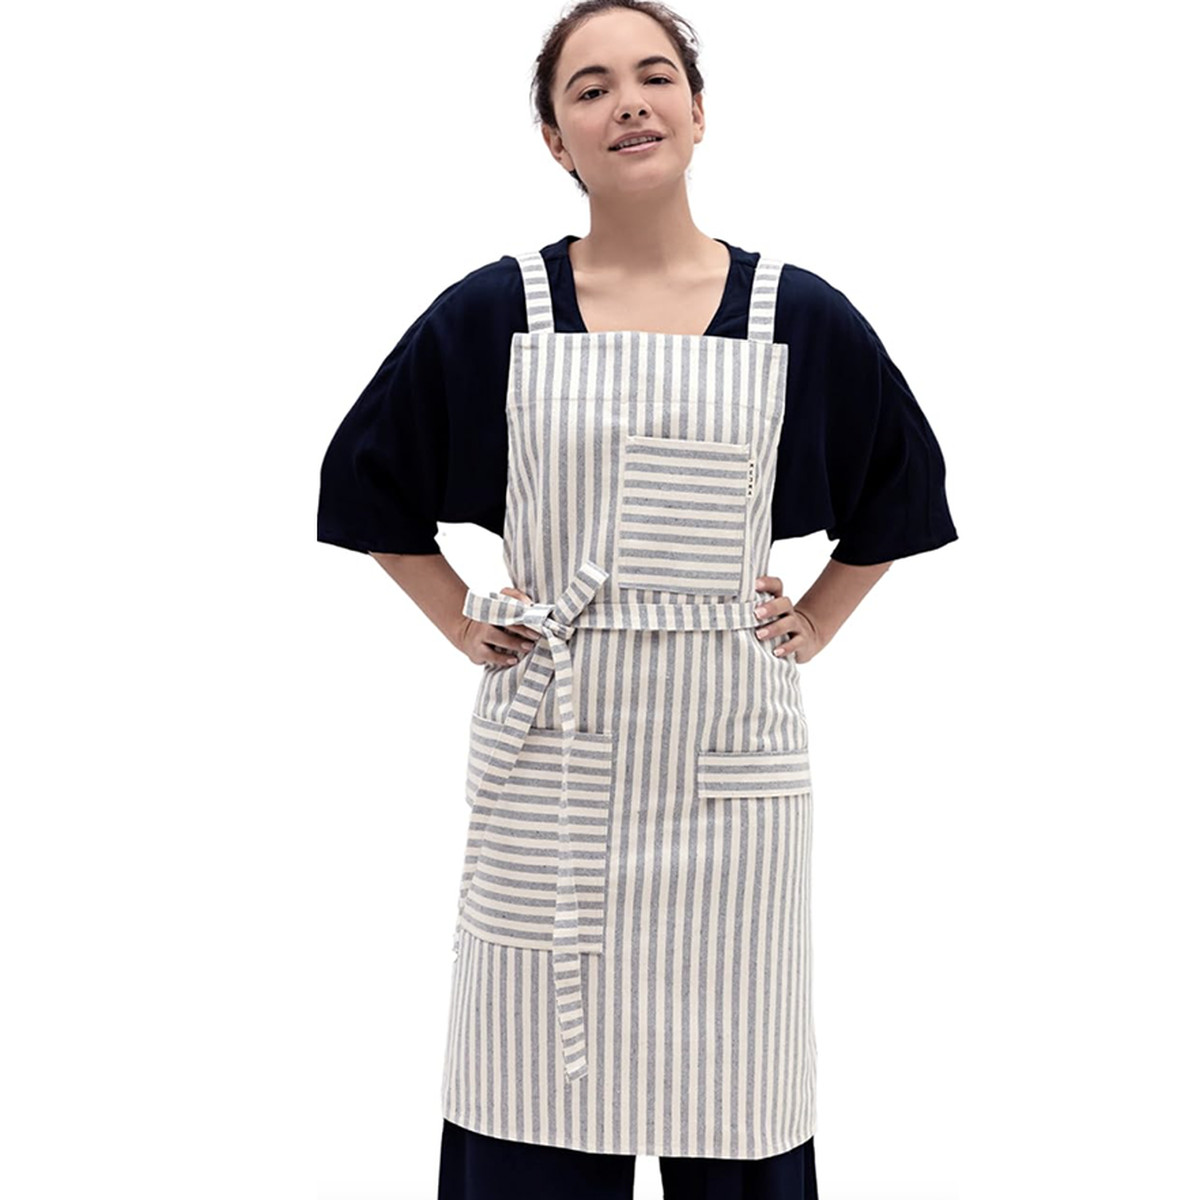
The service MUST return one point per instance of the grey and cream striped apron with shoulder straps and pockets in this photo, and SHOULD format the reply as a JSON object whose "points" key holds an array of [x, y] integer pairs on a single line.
{"points": [[633, 956]]}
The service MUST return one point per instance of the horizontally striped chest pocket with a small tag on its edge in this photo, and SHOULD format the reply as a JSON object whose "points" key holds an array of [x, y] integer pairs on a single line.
{"points": [[682, 512]]}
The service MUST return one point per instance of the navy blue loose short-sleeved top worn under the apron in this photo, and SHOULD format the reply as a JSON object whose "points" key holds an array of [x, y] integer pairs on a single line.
{"points": [[428, 439]]}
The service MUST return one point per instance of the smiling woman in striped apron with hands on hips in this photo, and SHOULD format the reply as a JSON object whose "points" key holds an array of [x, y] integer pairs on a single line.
{"points": [[639, 413]]}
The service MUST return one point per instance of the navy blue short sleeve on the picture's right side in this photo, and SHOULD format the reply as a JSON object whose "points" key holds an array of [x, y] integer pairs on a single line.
{"points": [[857, 455]]}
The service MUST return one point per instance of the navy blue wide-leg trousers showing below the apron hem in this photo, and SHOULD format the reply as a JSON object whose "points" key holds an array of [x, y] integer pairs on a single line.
{"points": [[476, 1167]]}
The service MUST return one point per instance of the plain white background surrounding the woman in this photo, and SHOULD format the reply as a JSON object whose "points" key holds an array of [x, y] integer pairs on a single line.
{"points": [[233, 809]]}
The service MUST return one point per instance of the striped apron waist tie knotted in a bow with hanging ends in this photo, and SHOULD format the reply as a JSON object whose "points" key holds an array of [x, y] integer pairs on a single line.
{"points": [[557, 621]]}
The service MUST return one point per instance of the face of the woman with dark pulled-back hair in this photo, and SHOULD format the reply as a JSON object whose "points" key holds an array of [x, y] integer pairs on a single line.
{"points": [[595, 109]]}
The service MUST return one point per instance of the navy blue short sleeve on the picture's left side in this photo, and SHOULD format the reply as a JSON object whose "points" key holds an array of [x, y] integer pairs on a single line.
{"points": [[427, 440]]}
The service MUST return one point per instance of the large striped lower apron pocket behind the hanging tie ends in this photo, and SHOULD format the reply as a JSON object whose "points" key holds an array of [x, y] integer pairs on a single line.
{"points": [[536, 854]]}
